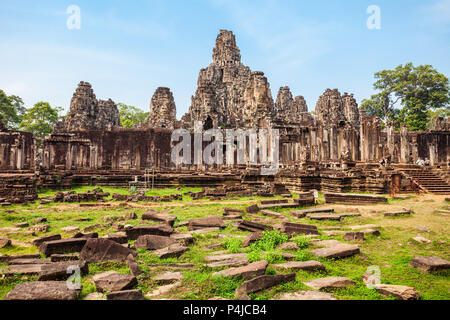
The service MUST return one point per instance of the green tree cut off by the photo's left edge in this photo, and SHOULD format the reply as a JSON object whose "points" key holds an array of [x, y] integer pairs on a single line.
{"points": [[11, 110]]}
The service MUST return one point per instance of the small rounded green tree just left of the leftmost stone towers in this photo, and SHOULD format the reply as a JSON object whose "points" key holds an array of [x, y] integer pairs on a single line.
{"points": [[40, 119]]}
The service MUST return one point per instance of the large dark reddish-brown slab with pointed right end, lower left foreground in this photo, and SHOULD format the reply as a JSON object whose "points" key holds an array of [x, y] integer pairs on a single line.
{"points": [[98, 250]]}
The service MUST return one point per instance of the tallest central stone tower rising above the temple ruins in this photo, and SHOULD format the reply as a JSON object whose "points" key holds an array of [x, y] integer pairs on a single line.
{"points": [[228, 93]]}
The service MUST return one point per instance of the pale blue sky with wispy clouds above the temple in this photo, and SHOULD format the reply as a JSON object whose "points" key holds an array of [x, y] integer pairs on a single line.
{"points": [[126, 49]]}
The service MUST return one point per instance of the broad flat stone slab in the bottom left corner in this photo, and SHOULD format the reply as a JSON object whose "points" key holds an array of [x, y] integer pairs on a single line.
{"points": [[42, 290]]}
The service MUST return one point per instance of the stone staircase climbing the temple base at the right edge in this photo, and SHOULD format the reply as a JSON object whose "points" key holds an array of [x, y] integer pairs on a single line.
{"points": [[429, 180]]}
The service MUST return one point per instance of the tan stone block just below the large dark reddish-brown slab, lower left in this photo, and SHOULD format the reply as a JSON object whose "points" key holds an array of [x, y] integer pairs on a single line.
{"points": [[113, 281]]}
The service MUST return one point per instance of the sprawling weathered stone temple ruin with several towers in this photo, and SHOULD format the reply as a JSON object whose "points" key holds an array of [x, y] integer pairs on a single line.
{"points": [[338, 148]]}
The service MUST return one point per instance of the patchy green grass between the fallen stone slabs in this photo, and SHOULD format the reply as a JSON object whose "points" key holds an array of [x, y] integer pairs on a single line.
{"points": [[391, 252]]}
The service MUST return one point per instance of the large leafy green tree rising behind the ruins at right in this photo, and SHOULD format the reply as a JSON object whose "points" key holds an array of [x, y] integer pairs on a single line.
{"points": [[406, 95]]}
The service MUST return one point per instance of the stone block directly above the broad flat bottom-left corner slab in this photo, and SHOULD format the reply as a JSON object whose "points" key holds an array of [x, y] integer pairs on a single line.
{"points": [[62, 270]]}
